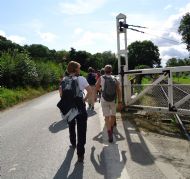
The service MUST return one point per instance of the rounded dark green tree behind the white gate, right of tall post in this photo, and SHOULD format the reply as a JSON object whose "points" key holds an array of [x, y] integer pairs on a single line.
{"points": [[143, 53]]}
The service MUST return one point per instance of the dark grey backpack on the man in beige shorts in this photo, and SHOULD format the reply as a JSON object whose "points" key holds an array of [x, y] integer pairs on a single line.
{"points": [[109, 92]]}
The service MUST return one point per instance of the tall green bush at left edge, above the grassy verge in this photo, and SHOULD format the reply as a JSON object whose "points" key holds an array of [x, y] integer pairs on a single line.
{"points": [[17, 69]]}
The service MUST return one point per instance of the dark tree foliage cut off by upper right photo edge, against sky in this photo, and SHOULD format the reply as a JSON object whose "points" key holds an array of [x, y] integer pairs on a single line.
{"points": [[184, 29]]}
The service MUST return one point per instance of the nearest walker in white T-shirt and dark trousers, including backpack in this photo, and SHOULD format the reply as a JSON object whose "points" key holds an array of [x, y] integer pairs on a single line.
{"points": [[73, 105]]}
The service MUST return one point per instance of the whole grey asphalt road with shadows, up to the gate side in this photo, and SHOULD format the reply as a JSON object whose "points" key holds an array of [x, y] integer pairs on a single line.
{"points": [[34, 144]]}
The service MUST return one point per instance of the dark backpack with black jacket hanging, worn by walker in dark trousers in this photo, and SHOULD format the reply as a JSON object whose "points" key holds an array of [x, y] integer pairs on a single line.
{"points": [[72, 96]]}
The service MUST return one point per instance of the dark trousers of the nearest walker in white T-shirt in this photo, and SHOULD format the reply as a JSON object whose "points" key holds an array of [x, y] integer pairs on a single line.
{"points": [[81, 121]]}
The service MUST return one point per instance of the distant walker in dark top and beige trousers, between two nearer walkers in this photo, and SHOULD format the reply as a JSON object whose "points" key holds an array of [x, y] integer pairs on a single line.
{"points": [[91, 78]]}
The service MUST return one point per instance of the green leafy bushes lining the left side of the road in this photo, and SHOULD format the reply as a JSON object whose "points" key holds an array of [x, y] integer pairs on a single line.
{"points": [[18, 70]]}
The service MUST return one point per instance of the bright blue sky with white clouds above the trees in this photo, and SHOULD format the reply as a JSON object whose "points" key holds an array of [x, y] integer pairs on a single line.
{"points": [[90, 25]]}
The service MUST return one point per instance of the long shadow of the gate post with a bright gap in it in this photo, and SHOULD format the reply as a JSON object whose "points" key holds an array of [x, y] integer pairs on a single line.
{"points": [[137, 146]]}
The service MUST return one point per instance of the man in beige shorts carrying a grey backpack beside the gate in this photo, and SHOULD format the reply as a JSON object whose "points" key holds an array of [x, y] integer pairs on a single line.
{"points": [[110, 90]]}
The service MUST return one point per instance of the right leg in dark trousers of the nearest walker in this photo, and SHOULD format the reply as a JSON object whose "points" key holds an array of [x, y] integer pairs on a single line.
{"points": [[81, 133]]}
